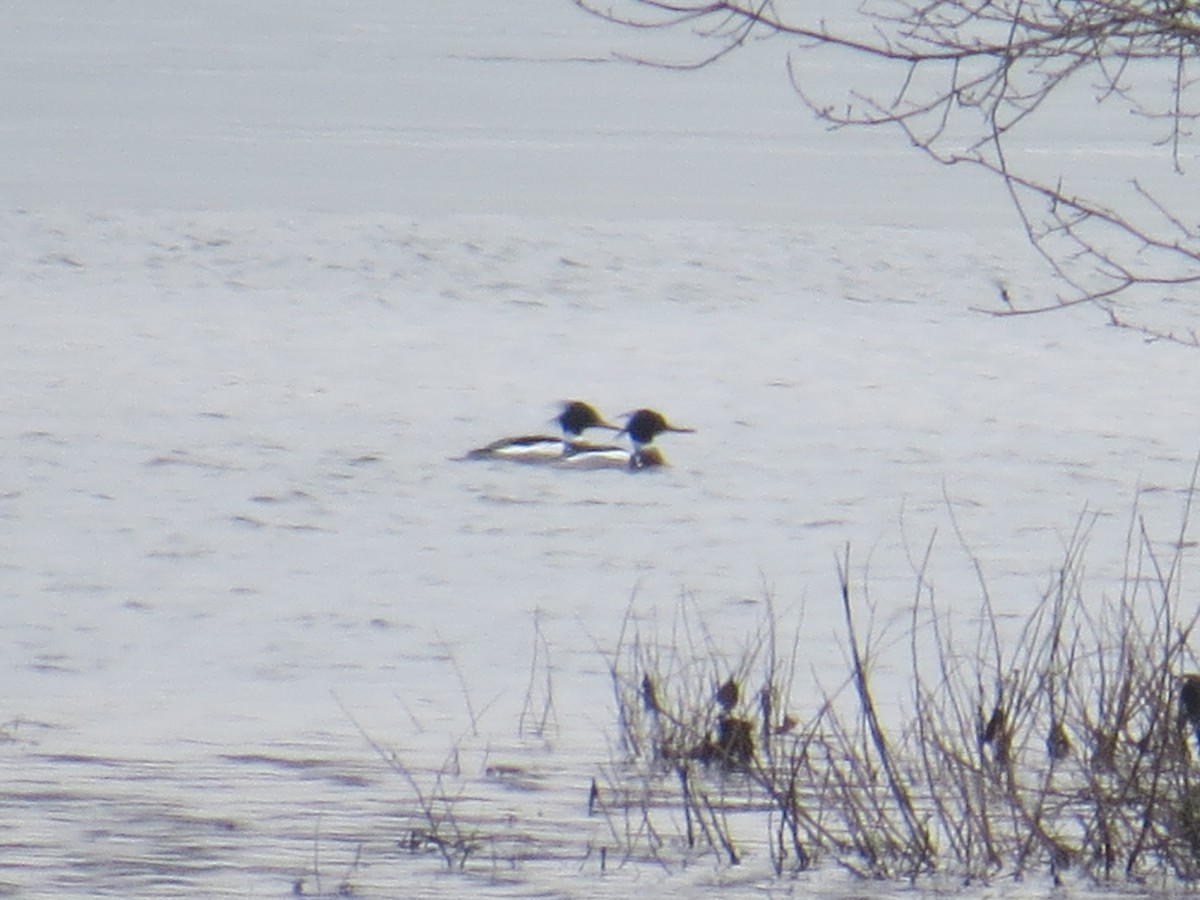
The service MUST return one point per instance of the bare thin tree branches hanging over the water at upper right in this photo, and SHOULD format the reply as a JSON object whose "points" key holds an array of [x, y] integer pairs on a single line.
{"points": [[971, 79]]}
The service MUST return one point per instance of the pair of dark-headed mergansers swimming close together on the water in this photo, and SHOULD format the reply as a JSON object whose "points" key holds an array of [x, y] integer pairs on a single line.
{"points": [[569, 452]]}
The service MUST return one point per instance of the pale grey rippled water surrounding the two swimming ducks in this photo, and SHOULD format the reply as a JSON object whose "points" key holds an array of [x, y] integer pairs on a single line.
{"points": [[271, 269]]}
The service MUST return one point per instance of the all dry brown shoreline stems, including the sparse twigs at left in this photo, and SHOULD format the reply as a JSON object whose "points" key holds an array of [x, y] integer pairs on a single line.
{"points": [[956, 747]]}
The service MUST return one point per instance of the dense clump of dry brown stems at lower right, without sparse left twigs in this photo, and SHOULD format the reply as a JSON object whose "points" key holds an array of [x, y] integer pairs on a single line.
{"points": [[1072, 746]]}
